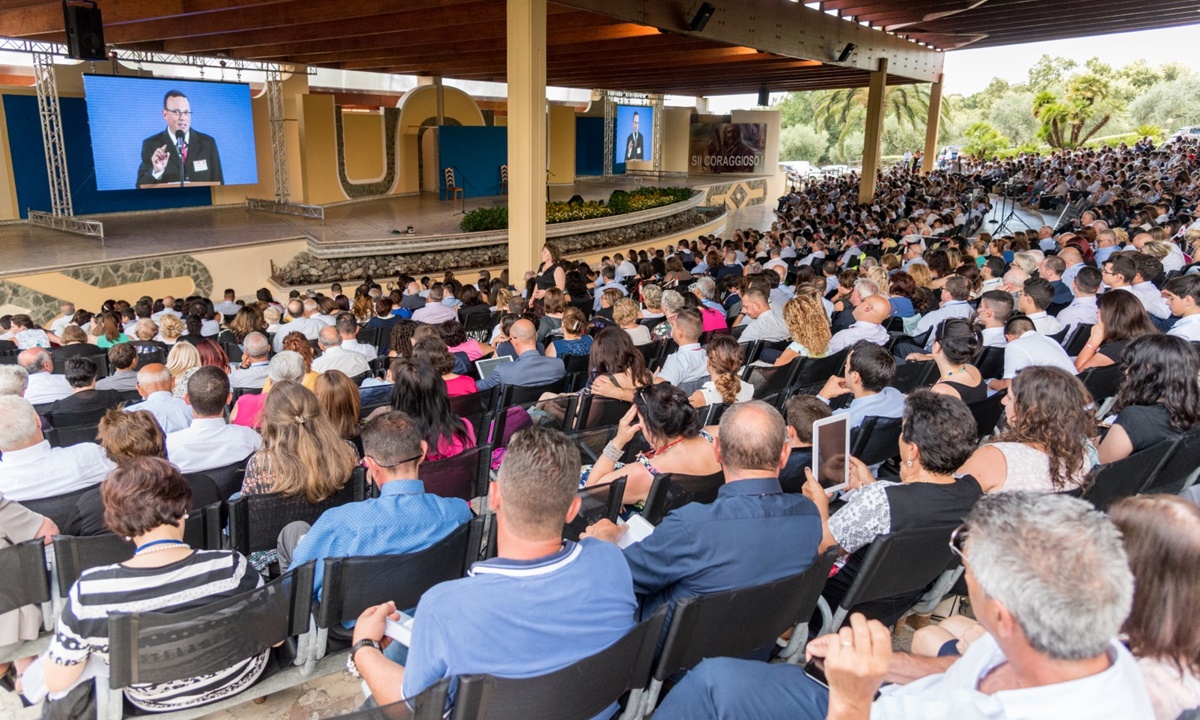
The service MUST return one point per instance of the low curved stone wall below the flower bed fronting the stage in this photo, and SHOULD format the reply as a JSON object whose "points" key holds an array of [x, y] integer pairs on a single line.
{"points": [[307, 269]]}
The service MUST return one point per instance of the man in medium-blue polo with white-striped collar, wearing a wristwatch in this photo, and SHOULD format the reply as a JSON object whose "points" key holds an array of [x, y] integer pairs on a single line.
{"points": [[542, 605]]}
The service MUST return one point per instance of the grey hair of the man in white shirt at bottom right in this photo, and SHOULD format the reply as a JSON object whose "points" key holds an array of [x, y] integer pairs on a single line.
{"points": [[1058, 565]]}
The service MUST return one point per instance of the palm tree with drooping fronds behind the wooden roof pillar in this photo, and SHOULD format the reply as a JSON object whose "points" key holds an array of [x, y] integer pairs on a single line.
{"points": [[844, 111]]}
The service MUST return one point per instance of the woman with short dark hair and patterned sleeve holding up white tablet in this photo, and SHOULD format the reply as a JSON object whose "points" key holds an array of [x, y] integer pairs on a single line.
{"points": [[937, 437]]}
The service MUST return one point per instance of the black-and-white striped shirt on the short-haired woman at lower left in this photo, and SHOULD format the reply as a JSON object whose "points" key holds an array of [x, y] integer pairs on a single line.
{"points": [[201, 579]]}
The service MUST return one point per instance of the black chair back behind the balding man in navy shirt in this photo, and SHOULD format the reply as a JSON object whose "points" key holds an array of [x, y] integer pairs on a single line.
{"points": [[736, 623]]}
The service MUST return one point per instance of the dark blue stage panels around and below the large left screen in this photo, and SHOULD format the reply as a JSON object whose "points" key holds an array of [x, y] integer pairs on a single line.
{"points": [[25, 139]]}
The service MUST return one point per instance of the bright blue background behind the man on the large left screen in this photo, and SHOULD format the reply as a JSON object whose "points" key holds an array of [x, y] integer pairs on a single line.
{"points": [[125, 111]]}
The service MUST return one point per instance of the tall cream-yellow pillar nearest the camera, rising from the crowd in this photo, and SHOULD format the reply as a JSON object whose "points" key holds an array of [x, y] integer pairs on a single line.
{"points": [[527, 135]]}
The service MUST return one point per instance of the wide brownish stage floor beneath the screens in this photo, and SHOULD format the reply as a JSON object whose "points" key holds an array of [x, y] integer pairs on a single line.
{"points": [[26, 249]]}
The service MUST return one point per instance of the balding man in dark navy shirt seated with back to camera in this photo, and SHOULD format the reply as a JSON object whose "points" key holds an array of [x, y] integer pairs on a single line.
{"points": [[709, 549]]}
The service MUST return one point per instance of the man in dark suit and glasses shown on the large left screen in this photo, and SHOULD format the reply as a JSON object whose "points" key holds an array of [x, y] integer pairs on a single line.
{"points": [[179, 147]]}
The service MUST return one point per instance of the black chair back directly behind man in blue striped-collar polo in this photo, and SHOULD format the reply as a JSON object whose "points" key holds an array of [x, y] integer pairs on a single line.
{"points": [[575, 693]]}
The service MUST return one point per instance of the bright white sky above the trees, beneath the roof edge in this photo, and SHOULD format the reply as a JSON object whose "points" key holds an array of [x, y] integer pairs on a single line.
{"points": [[970, 71]]}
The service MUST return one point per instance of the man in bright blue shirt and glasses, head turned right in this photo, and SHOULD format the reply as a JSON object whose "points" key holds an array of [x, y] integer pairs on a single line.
{"points": [[404, 519]]}
